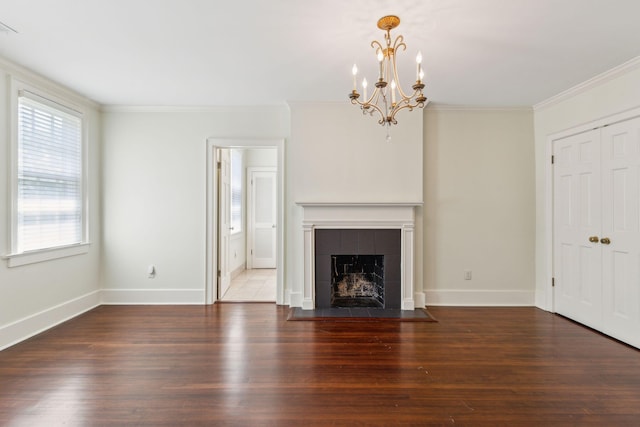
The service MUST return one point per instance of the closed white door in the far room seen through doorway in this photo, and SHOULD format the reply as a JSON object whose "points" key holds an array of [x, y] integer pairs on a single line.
{"points": [[262, 205]]}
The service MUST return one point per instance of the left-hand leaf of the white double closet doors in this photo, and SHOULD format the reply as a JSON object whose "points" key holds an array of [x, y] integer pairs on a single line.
{"points": [[577, 224]]}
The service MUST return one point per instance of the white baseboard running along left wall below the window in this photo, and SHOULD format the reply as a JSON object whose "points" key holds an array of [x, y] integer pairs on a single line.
{"points": [[32, 325]]}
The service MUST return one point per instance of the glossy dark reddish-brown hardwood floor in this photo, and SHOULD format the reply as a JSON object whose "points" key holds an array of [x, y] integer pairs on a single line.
{"points": [[245, 365]]}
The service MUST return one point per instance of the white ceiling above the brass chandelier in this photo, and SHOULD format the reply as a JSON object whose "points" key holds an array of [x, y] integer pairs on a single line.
{"points": [[258, 52]]}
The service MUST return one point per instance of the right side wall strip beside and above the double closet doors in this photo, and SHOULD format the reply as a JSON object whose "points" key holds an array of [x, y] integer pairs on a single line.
{"points": [[613, 92]]}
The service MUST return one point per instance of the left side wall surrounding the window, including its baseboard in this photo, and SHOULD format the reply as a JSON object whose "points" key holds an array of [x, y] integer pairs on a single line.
{"points": [[36, 296]]}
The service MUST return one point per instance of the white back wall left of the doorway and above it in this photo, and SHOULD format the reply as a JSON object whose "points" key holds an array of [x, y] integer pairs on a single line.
{"points": [[154, 195]]}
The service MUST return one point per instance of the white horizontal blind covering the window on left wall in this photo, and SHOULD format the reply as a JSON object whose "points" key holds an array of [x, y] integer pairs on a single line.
{"points": [[49, 182]]}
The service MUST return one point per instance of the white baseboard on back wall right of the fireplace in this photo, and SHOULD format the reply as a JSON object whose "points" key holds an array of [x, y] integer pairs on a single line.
{"points": [[480, 298]]}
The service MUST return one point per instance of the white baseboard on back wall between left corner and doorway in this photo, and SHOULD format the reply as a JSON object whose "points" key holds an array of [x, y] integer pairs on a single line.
{"points": [[153, 296]]}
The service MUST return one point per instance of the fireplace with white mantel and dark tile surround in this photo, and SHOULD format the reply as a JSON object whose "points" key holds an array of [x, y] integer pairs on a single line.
{"points": [[394, 218]]}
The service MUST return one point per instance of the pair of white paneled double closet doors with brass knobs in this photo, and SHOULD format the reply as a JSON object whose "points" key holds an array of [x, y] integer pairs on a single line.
{"points": [[597, 229]]}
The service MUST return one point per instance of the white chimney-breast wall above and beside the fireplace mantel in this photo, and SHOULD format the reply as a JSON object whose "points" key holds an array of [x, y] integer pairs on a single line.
{"points": [[338, 155]]}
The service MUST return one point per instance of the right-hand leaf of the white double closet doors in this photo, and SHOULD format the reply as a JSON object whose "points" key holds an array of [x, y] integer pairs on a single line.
{"points": [[620, 239]]}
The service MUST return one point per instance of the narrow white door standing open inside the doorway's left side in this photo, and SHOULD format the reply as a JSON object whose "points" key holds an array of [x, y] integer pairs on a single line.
{"points": [[224, 223]]}
